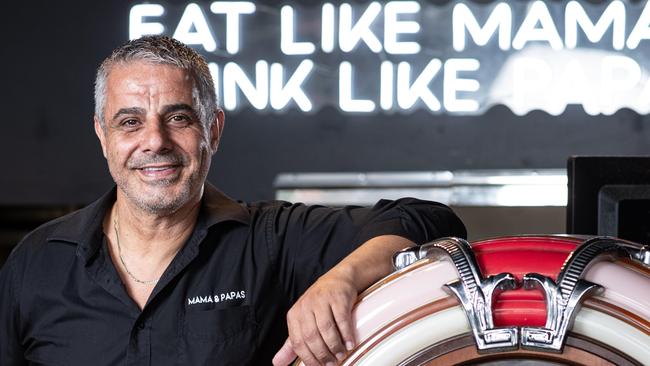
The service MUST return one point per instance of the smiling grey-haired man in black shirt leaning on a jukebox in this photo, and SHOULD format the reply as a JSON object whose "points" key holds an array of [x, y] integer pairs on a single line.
{"points": [[166, 270]]}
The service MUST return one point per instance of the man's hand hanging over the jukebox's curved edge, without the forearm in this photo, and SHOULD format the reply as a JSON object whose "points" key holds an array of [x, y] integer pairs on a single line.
{"points": [[320, 322]]}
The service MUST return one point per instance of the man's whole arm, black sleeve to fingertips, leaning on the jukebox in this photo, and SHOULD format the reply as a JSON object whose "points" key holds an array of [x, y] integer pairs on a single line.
{"points": [[312, 239]]}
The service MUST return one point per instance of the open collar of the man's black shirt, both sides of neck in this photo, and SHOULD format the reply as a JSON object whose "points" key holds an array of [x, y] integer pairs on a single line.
{"points": [[84, 227]]}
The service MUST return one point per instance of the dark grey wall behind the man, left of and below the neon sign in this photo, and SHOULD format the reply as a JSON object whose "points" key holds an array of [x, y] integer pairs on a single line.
{"points": [[51, 156]]}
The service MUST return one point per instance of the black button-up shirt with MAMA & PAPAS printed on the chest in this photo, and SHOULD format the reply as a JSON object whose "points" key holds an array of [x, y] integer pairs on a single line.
{"points": [[222, 300]]}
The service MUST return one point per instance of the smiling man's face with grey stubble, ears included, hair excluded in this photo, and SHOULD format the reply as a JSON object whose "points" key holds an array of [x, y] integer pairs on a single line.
{"points": [[158, 151]]}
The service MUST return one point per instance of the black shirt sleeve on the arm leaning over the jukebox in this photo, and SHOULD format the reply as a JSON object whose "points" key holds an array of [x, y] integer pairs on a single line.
{"points": [[309, 240]]}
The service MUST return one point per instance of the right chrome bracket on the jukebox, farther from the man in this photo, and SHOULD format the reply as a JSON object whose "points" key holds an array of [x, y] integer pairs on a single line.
{"points": [[563, 299]]}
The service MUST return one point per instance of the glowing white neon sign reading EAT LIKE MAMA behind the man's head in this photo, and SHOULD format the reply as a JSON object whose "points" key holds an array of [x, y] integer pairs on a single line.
{"points": [[397, 56]]}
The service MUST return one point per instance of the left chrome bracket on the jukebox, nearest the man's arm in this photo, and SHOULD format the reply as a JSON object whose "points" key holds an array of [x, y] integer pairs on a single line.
{"points": [[475, 293]]}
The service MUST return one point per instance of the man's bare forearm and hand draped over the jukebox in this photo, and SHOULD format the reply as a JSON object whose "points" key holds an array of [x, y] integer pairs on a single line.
{"points": [[320, 322]]}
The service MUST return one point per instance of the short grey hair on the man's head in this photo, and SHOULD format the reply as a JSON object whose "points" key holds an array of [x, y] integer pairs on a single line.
{"points": [[167, 51]]}
